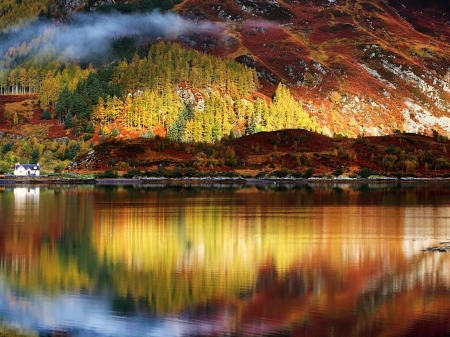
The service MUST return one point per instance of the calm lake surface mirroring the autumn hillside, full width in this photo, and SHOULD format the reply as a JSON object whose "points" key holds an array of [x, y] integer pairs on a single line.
{"points": [[318, 260]]}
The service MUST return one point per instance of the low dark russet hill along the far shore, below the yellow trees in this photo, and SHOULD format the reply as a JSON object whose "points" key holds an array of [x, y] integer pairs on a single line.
{"points": [[288, 152]]}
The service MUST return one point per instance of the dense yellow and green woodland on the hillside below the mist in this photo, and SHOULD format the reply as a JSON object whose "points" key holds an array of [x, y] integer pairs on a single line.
{"points": [[144, 94]]}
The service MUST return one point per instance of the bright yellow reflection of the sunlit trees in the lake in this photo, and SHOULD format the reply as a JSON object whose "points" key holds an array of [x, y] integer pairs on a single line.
{"points": [[165, 265]]}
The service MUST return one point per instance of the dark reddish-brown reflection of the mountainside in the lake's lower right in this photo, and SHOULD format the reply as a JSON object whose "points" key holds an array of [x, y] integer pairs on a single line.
{"points": [[312, 301]]}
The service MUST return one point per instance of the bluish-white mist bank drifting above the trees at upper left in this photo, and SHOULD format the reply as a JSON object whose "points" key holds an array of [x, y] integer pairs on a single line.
{"points": [[91, 33]]}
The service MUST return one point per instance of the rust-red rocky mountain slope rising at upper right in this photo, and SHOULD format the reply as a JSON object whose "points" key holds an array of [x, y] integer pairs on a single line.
{"points": [[362, 67]]}
